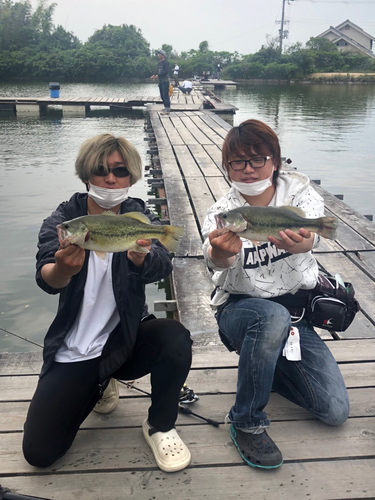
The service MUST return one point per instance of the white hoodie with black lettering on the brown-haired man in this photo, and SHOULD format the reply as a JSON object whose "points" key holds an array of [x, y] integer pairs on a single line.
{"points": [[265, 271]]}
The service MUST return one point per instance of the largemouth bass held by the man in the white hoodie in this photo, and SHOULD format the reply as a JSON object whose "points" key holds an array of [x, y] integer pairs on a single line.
{"points": [[257, 223]]}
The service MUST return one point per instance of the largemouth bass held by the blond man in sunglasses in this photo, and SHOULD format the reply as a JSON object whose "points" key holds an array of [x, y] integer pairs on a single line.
{"points": [[108, 232]]}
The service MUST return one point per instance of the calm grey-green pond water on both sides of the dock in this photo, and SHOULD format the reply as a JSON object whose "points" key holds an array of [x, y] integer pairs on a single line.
{"points": [[328, 132]]}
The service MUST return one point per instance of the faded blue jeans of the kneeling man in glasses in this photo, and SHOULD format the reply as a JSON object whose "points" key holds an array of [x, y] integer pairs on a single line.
{"points": [[258, 329]]}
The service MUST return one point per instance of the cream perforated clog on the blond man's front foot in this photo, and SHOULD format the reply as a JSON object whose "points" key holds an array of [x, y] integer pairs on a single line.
{"points": [[170, 452]]}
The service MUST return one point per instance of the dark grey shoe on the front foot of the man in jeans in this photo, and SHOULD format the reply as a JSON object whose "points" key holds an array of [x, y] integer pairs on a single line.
{"points": [[258, 450]]}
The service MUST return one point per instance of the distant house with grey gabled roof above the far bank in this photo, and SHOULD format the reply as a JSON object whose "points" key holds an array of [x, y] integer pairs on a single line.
{"points": [[350, 37]]}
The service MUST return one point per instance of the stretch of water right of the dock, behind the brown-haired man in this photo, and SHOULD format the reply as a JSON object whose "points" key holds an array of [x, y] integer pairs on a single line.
{"points": [[327, 130]]}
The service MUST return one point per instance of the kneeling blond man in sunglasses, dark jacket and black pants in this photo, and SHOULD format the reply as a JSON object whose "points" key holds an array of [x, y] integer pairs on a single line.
{"points": [[103, 331]]}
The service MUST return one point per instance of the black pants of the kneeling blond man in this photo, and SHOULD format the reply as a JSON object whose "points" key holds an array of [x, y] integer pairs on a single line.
{"points": [[68, 392]]}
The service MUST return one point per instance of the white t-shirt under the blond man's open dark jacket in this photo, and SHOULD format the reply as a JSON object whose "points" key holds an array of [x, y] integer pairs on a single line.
{"points": [[97, 317]]}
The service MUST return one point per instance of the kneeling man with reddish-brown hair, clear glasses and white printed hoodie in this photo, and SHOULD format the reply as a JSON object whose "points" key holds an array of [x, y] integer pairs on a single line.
{"points": [[260, 292]]}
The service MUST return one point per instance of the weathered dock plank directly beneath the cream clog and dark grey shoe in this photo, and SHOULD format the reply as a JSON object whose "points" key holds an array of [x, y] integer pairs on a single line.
{"points": [[109, 449]]}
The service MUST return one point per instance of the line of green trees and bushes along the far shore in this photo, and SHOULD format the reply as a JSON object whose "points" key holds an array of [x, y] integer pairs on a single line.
{"points": [[33, 48]]}
